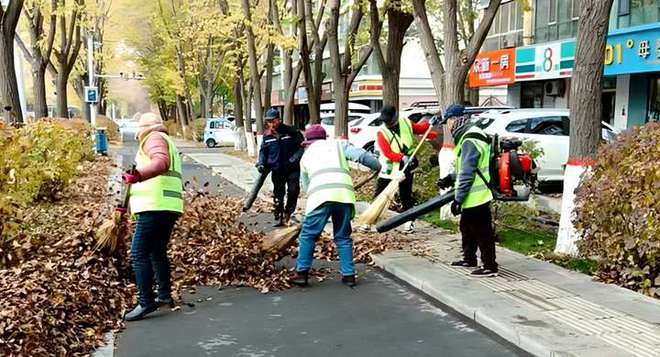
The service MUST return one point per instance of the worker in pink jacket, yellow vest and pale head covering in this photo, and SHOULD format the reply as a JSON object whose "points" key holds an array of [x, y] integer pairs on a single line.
{"points": [[157, 202]]}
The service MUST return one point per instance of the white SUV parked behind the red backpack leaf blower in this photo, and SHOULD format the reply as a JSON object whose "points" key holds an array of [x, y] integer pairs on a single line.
{"points": [[549, 128]]}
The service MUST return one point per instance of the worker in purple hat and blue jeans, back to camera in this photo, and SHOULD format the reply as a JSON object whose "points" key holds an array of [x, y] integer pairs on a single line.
{"points": [[330, 194]]}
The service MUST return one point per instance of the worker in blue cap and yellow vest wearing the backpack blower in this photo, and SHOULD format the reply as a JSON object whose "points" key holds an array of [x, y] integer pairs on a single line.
{"points": [[472, 195]]}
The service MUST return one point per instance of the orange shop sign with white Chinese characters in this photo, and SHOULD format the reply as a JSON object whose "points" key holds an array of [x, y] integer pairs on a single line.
{"points": [[494, 68]]}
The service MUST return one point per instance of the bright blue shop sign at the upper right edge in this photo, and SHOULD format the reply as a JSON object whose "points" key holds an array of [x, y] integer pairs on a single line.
{"points": [[633, 50]]}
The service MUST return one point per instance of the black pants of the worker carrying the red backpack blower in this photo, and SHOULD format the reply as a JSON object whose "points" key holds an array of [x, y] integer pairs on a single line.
{"points": [[477, 232]]}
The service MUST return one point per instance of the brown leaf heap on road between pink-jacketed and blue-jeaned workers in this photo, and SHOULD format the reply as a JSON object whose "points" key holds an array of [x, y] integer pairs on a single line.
{"points": [[210, 247]]}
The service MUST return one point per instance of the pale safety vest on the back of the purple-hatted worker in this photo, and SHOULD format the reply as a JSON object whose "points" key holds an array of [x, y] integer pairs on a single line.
{"points": [[329, 175]]}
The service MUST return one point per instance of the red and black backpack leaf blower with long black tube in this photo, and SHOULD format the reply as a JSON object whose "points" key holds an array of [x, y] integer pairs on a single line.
{"points": [[511, 177]]}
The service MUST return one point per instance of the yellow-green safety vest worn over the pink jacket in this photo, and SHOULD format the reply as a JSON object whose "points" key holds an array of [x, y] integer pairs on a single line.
{"points": [[160, 193]]}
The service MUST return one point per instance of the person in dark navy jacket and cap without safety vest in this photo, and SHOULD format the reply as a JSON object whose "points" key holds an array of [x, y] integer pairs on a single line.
{"points": [[280, 154]]}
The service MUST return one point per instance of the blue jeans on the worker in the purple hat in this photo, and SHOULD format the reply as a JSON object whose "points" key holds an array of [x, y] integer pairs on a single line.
{"points": [[312, 228]]}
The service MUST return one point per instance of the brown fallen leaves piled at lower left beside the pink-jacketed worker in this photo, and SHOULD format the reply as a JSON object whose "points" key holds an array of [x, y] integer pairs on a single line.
{"points": [[60, 297]]}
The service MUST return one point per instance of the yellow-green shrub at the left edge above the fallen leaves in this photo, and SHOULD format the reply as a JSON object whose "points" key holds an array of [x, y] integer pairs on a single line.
{"points": [[36, 162]]}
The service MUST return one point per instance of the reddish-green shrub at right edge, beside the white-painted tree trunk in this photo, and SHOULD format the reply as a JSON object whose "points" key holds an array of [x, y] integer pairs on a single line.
{"points": [[618, 210]]}
